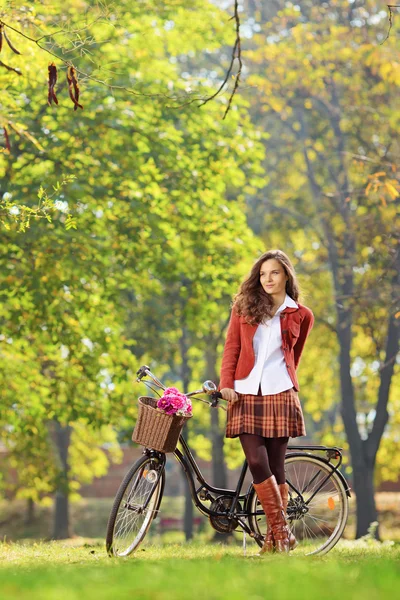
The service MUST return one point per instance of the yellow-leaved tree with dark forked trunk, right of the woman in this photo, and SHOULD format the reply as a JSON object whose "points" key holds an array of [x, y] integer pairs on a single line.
{"points": [[337, 123]]}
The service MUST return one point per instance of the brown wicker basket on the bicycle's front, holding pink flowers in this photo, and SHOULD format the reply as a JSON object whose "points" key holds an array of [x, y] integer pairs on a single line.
{"points": [[155, 429]]}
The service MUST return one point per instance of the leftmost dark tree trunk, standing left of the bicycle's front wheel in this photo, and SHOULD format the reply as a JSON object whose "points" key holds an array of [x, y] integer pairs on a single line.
{"points": [[61, 513]]}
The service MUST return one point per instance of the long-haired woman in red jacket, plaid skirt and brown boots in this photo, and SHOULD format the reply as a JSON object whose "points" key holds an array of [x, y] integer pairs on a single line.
{"points": [[265, 338]]}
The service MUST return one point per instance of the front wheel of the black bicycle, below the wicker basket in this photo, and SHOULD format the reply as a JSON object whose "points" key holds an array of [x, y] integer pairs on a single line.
{"points": [[136, 505]]}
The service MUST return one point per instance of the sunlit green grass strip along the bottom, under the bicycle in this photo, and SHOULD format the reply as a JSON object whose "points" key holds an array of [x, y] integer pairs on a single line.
{"points": [[80, 570]]}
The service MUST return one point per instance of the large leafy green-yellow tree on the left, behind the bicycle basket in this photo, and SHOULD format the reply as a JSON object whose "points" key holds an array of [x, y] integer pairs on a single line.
{"points": [[148, 196]]}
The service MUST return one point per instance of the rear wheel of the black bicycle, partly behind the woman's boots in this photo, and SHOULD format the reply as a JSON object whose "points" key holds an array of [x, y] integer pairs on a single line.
{"points": [[317, 509]]}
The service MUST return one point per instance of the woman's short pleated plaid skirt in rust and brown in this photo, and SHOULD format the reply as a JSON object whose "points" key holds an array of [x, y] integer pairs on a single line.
{"points": [[275, 415]]}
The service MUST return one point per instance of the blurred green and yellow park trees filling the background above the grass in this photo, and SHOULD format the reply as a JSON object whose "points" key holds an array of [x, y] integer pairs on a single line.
{"points": [[126, 227]]}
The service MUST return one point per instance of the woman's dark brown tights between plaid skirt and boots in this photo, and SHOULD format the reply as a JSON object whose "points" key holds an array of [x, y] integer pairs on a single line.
{"points": [[265, 456]]}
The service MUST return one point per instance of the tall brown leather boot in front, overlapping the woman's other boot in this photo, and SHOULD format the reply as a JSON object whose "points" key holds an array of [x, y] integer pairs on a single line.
{"points": [[270, 498]]}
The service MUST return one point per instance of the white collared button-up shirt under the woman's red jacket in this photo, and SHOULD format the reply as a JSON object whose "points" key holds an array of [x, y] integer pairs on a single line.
{"points": [[270, 368]]}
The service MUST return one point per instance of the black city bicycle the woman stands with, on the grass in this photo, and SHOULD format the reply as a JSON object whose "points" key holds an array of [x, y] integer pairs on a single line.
{"points": [[317, 509]]}
